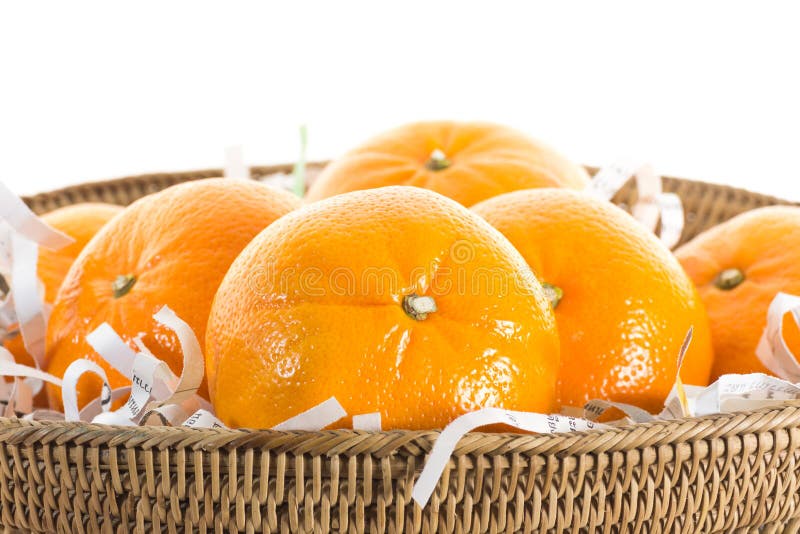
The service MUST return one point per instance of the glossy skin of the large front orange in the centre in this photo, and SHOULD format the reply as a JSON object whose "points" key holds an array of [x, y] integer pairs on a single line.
{"points": [[300, 317]]}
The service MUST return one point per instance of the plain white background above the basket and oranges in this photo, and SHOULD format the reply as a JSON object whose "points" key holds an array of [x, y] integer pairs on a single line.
{"points": [[98, 90]]}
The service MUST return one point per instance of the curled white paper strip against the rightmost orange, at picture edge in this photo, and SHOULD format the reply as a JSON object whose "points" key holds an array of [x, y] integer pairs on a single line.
{"points": [[772, 349]]}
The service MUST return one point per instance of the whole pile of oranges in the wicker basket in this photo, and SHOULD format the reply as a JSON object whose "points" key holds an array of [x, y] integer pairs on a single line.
{"points": [[437, 269]]}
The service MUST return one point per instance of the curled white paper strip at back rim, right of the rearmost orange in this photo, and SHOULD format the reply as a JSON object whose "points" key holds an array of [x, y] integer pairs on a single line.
{"points": [[653, 204]]}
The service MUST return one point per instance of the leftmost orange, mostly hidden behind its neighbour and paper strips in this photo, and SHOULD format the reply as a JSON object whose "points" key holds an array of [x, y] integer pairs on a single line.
{"points": [[79, 221]]}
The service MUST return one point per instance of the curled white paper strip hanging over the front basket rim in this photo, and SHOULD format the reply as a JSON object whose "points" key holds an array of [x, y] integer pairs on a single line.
{"points": [[448, 439]]}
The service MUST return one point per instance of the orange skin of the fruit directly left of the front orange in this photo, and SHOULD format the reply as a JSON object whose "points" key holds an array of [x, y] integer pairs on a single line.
{"points": [[178, 243]]}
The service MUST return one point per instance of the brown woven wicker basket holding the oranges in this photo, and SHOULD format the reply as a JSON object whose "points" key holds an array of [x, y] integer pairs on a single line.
{"points": [[710, 474]]}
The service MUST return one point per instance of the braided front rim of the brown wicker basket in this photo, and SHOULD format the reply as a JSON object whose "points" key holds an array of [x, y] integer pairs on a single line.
{"points": [[14, 431]]}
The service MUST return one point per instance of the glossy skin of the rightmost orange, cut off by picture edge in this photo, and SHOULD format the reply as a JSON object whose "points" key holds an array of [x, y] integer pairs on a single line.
{"points": [[762, 243]]}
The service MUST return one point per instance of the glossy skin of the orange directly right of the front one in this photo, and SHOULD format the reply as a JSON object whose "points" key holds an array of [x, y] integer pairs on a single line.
{"points": [[627, 304]]}
